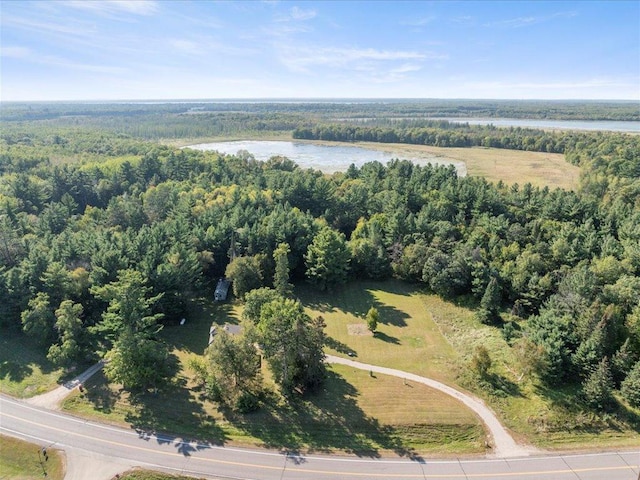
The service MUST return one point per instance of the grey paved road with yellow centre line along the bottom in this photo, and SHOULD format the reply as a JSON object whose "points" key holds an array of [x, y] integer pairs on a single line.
{"points": [[176, 454]]}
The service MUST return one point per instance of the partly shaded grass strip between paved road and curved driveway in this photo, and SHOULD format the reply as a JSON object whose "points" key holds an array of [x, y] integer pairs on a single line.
{"points": [[354, 413]]}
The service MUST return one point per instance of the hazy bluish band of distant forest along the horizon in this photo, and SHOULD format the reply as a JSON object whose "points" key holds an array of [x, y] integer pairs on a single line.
{"points": [[338, 109]]}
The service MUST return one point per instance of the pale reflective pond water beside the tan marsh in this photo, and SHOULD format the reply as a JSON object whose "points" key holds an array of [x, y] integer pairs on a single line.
{"points": [[327, 158]]}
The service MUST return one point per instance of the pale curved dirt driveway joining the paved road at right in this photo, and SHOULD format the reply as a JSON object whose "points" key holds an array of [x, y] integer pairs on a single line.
{"points": [[503, 443]]}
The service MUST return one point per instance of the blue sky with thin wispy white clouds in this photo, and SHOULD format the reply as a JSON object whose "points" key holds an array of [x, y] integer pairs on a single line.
{"points": [[145, 49]]}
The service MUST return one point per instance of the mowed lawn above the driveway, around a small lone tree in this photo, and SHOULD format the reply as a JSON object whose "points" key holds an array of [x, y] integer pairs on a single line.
{"points": [[406, 338]]}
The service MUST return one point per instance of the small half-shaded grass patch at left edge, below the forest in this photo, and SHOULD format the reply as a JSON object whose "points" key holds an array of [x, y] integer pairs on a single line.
{"points": [[24, 369]]}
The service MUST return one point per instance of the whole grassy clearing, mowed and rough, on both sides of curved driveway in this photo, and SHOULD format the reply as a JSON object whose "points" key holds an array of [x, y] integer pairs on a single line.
{"points": [[357, 413]]}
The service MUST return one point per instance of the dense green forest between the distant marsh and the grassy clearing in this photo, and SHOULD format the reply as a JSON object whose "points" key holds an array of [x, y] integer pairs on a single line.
{"points": [[104, 237]]}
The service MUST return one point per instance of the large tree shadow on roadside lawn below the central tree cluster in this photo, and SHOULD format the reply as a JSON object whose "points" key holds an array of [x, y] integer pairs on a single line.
{"points": [[326, 421]]}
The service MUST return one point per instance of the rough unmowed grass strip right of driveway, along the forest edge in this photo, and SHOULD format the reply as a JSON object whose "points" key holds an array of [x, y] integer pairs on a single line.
{"points": [[548, 418]]}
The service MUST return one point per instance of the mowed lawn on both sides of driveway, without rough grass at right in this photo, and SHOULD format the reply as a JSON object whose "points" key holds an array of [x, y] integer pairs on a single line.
{"points": [[353, 413]]}
